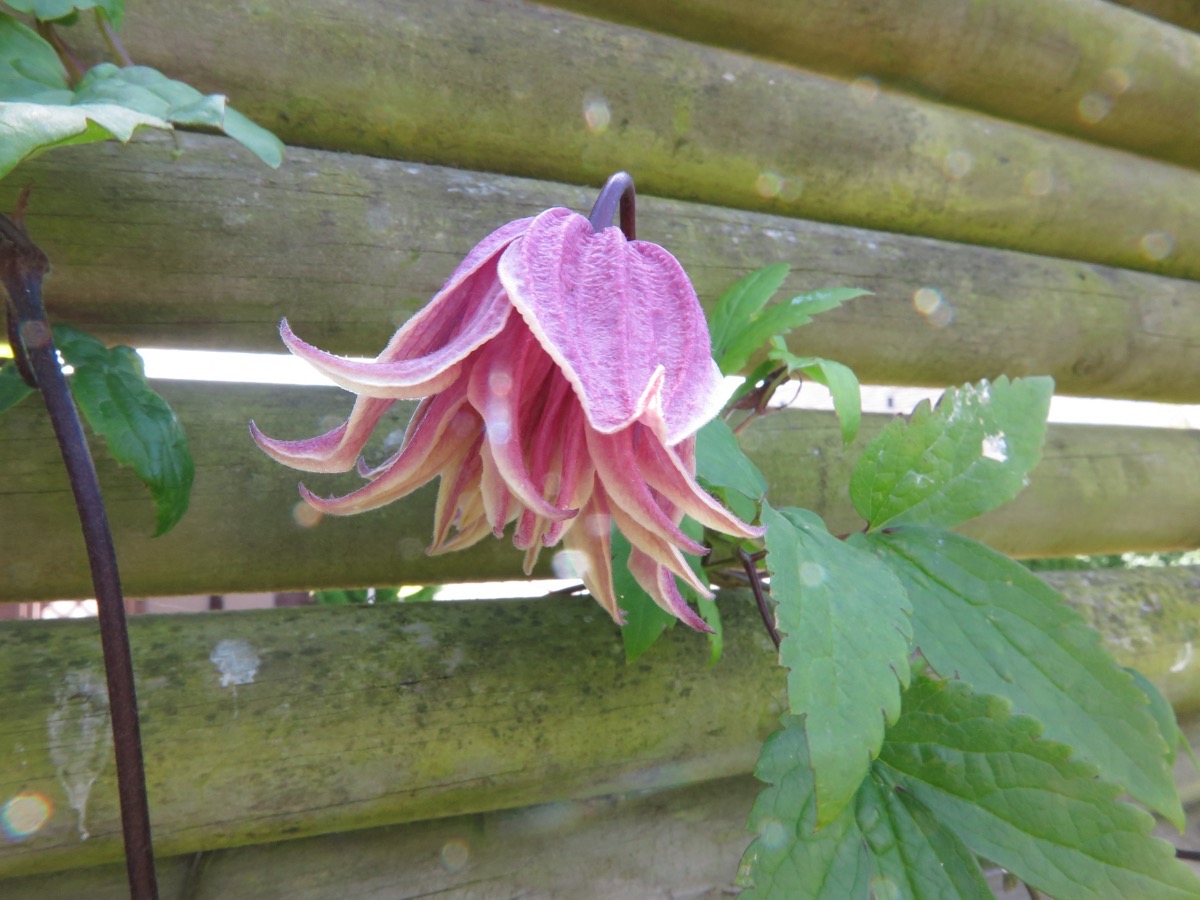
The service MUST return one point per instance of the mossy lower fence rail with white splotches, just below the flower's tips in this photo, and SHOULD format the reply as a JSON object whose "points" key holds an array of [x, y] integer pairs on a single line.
{"points": [[279, 724]]}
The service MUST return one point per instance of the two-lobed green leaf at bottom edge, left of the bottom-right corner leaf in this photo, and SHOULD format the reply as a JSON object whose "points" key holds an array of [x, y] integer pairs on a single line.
{"points": [[886, 845]]}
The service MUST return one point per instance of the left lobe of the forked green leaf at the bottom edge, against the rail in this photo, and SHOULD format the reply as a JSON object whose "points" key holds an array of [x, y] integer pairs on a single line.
{"points": [[790, 859]]}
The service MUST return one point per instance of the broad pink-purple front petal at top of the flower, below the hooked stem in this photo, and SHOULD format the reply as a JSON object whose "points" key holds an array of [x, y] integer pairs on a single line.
{"points": [[616, 316]]}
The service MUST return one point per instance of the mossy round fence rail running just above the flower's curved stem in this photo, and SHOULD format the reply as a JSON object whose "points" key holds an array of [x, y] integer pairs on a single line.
{"points": [[512, 87]]}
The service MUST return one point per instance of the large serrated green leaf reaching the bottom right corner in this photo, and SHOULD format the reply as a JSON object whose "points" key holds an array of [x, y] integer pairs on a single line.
{"points": [[1022, 802]]}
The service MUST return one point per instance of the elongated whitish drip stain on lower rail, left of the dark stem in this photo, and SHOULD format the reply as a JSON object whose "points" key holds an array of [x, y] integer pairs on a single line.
{"points": [[81, 737]]}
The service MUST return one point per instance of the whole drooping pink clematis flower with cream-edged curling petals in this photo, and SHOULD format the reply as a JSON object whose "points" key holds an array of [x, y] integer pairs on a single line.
{"points": [[565, 371]]}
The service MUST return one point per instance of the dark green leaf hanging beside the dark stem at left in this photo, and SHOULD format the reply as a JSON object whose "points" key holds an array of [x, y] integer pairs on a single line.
{"points": [[137, 425]]}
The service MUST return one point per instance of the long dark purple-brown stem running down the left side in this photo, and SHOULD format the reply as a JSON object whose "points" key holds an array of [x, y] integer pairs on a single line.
{"points": [[22, 269]]}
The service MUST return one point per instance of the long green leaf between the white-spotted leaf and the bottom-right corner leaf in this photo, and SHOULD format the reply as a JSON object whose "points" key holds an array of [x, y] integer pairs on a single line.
{"points": [[981, 617]]}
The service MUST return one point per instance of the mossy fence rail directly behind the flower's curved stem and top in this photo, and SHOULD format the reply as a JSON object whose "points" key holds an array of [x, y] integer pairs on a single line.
{"points": [[206, 248]]}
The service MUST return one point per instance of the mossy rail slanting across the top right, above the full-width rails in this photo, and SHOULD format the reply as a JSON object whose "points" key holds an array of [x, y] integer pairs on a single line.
{"points": [[1079, 68]]}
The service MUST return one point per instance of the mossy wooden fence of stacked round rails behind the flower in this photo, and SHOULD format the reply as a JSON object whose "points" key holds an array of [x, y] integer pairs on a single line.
{"points": [[1035, 164]]}
